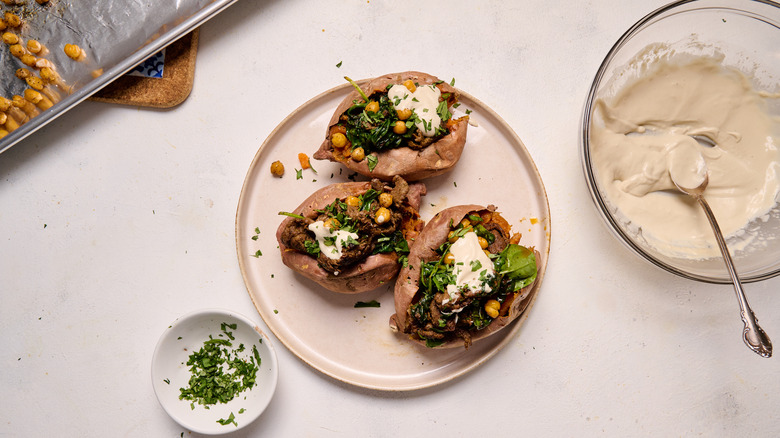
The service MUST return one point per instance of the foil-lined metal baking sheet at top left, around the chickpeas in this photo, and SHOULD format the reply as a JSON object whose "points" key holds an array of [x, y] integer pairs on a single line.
{"points": [[116, 35]]}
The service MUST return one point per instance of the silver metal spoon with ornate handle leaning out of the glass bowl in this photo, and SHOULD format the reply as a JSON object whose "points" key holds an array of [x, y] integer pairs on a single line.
{"points": [[753, 334]]}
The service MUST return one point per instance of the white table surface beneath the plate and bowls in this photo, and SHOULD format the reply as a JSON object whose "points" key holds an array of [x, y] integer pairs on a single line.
{"points": [[116, 220]]}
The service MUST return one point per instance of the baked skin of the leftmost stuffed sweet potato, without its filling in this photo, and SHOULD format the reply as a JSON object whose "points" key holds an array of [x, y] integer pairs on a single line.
{"points": [[374, 271]]}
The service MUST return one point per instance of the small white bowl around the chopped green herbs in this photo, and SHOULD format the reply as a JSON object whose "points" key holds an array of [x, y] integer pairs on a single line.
{"points": [[170, 371]]}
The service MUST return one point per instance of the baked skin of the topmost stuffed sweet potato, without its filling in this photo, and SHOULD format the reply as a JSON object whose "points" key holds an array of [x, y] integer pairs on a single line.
{"points": [[410, 164]]}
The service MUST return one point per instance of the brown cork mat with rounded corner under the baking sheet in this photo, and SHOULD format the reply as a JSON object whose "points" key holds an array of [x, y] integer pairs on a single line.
{"points": [[166, 92]]}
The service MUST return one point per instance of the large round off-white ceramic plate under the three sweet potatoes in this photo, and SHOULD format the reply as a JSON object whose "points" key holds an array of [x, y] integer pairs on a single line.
{"points": [[324, 329]]}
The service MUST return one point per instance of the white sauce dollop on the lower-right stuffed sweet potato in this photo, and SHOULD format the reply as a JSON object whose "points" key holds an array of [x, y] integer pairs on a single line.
{"points": [[470, 264]]}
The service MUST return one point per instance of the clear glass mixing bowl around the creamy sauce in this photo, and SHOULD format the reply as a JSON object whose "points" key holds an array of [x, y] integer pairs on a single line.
{"points": [[747, 34]]}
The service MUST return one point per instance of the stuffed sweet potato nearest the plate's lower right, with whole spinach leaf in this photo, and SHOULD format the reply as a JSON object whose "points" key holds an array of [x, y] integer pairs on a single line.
{"points": [[466, 278]]}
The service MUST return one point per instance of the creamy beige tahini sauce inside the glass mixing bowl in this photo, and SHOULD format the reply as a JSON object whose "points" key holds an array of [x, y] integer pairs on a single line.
{"points": [[648, 132]]}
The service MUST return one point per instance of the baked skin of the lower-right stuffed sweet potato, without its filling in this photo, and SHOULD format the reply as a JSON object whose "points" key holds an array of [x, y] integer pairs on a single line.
{"points": [[423, 250]]}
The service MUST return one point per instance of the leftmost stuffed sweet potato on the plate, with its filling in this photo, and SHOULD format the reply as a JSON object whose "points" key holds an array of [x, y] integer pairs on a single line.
{"points": [[352, 237]]}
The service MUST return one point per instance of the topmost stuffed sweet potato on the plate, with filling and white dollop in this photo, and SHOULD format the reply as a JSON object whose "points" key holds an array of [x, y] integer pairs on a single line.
{"points": [[397, 124]]}
